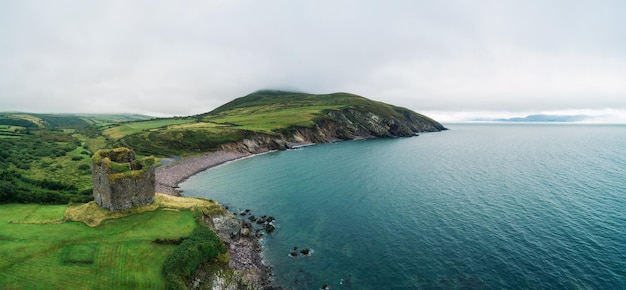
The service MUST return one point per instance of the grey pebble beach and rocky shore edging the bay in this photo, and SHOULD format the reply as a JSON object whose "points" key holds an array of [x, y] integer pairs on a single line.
{"points": [[245, 250]]}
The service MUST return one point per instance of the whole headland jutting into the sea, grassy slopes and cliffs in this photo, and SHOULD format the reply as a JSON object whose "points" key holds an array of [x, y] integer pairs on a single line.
{"points": [[274, 120]]}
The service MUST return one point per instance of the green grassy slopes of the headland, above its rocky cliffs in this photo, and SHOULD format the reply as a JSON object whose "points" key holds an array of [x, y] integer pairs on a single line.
{"points": [[263, 112]]}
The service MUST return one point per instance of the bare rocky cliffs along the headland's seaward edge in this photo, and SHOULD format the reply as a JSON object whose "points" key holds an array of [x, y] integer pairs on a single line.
{"points": [[346, 124]]}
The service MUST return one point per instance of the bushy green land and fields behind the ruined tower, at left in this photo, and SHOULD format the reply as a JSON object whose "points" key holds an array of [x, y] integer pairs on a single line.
{"points": [[45, 158]]}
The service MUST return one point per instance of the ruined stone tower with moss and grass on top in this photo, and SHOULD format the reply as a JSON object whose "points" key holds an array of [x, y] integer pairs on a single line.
{"points": [[120, 181]]}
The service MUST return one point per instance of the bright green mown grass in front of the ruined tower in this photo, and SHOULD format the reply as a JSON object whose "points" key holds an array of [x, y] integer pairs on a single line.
{"points": [[39, 250]]}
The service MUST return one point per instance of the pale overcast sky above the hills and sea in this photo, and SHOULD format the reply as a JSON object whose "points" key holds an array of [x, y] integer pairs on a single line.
{"points": [[452, 60]]}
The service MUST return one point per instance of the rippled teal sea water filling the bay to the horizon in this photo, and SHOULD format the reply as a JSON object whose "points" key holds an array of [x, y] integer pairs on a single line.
{"points": [[481, 206]]}
